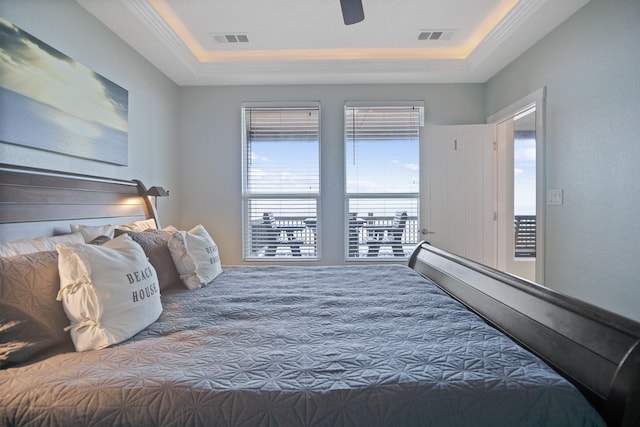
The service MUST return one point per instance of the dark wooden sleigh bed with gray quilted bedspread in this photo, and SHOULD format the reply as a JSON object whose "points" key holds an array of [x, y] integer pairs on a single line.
{"points": [[440, 341]]}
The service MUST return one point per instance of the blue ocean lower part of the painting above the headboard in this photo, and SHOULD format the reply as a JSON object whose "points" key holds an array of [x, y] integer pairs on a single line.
{"points": [[28, 122]]}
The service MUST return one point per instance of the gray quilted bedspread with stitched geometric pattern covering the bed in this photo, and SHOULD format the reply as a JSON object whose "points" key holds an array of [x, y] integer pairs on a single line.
{"points": [[300, 346]]}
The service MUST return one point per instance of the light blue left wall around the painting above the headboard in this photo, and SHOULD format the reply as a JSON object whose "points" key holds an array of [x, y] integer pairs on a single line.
{"points": [[153, 128]]}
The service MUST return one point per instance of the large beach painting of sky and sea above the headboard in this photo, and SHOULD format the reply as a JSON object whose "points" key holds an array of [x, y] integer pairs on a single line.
{"points": [[50, 102]]}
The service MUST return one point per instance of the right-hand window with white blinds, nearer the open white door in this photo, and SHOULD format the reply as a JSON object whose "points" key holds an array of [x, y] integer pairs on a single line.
{"points": [[382, 179]]}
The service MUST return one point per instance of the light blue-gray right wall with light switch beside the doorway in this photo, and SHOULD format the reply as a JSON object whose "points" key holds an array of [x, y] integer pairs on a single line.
{"points": [[590, 66]]}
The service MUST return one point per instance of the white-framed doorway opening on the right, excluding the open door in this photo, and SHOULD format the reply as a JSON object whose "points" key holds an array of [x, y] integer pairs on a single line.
{"points": [[520, 188]]}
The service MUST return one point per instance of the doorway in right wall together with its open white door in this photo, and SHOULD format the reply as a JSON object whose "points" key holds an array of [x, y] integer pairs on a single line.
{"points": [[472, 200]]}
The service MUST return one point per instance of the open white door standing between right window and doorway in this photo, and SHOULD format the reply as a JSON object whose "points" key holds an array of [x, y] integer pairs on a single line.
{"points": [[457, 186]]}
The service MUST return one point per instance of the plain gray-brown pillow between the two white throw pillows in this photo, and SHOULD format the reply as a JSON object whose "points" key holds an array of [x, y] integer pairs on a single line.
{"points": [[155, 246]]}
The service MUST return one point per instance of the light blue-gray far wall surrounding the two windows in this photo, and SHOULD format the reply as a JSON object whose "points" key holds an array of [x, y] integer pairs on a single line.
{"points": [[210, 141]]}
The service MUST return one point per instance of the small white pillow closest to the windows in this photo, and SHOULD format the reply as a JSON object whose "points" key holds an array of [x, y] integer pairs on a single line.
{"points": [[196, 257]]}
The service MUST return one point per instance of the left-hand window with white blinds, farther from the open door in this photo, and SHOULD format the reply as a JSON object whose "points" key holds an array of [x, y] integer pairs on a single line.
{"points": [[281, 181]]}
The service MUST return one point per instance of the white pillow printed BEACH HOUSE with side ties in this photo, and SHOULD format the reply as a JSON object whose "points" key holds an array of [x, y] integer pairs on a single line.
{"points": [[109, 292]]}
